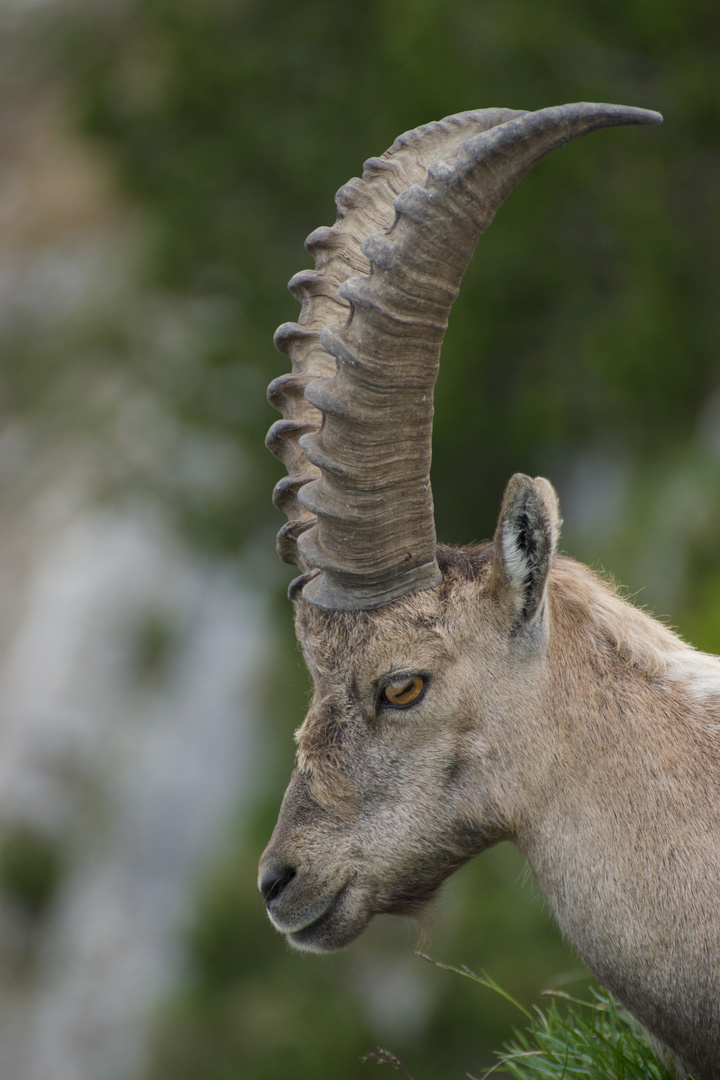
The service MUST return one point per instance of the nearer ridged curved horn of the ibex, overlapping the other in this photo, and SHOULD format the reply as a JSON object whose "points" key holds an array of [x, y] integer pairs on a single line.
{"points": [[374, 538]]}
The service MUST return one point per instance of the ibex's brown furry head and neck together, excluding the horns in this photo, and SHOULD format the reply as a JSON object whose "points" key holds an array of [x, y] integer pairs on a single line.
{"points": [[558, 717]]}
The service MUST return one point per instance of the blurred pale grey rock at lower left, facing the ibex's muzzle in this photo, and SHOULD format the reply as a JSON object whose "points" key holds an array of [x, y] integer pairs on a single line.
{"points": [[131, 779]]}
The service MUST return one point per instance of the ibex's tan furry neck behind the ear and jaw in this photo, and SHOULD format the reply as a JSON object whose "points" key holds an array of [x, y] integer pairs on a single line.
{"points": [[628, 826]]}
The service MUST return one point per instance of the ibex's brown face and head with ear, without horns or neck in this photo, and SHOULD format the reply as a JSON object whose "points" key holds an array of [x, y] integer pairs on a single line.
{"points": [[401, 777]]}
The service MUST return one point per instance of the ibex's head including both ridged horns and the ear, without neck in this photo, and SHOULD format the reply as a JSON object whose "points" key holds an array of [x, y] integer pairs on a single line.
{"points": [[431, 666]]}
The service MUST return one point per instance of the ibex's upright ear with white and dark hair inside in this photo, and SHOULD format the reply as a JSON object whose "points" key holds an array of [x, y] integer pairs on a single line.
{"points": [[525, 543]]}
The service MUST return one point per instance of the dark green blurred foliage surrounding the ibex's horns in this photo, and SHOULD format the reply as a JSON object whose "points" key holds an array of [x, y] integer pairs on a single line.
{"points": [[588, 319]]}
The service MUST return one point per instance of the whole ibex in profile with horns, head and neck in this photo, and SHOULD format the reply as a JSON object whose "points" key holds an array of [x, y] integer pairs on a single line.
{"points": [[469, 696]]}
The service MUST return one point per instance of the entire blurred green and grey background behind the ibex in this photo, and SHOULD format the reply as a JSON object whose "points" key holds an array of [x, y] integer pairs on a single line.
{"points": [[161, 163]]}
